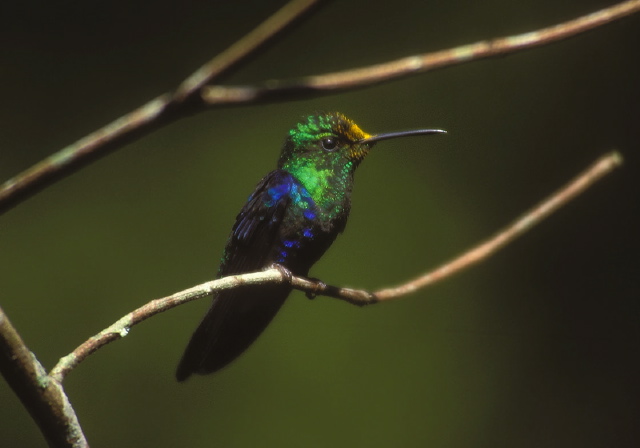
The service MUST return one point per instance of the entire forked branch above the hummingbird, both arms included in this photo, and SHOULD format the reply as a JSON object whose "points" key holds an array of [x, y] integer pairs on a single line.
{"points": [[170, 107]]}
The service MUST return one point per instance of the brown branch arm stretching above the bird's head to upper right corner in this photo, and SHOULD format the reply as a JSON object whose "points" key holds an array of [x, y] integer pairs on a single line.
{"points": [[330, 83]]}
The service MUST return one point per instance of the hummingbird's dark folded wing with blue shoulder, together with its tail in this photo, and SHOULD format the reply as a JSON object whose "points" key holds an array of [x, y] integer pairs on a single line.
{"points": [[238, 316]]}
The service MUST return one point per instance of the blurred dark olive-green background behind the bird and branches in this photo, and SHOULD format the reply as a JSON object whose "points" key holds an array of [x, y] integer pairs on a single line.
{"points": [[539, 346]]}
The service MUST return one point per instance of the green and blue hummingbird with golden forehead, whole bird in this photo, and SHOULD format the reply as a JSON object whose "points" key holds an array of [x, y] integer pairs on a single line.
{"points": [[292, 217]]}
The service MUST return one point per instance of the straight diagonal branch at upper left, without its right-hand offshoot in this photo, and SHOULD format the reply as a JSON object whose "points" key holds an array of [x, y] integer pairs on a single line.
{"points": [[162, 110]]}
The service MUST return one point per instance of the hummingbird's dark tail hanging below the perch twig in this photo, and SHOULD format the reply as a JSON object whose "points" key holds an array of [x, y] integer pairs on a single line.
{"points": [[236, 318]]}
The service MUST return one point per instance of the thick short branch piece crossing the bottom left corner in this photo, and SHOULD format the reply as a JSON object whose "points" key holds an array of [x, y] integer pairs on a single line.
{"points": [[41, 395]]}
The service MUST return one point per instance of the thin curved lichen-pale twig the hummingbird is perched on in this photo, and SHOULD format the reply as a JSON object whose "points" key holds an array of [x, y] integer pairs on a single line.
{"points": [[119, 329]]}
